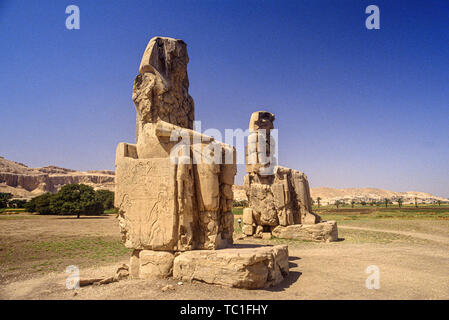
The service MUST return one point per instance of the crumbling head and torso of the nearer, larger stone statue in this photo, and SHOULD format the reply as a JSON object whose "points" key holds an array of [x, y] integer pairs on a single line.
{"points": [[160, 90]]}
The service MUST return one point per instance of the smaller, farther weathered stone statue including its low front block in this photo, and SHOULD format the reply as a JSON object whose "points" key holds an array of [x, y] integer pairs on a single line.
{"points": [[277, 196]]}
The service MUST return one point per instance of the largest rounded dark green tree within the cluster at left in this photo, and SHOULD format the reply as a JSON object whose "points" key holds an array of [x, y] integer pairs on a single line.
{"points": [[76, 199]]}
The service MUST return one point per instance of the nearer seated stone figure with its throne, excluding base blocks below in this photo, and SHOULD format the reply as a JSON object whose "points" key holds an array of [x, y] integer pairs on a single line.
{"points": [[173, 189]]}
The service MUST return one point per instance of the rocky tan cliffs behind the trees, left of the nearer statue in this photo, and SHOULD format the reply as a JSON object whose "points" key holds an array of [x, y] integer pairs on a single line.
{"points": [[25, 182]]}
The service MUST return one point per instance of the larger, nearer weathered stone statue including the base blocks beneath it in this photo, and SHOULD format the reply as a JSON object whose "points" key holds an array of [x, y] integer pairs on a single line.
{"points": [[174, 186]]}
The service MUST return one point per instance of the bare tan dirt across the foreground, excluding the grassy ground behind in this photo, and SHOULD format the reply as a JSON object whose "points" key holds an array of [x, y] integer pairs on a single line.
{"points": [[325, 271]]}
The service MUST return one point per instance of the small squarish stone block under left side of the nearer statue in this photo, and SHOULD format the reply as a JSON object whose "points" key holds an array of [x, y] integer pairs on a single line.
{"points": [[155, 264]]}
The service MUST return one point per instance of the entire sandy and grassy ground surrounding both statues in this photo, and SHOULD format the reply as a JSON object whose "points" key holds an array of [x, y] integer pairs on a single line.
{"points": [[410, 246]]}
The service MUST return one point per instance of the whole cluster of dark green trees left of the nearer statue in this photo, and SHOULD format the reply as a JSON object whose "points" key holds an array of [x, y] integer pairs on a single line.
{"points": [[72, 199]]}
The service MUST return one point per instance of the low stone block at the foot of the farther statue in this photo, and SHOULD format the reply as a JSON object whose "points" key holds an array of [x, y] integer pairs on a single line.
{"points": [[323, 231]]}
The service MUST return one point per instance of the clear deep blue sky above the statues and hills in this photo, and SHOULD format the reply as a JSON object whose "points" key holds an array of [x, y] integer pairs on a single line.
{"points": [[354, 107]]}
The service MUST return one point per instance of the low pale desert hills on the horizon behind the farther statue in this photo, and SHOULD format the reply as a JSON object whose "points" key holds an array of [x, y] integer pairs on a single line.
{"points": [[330, 195]]}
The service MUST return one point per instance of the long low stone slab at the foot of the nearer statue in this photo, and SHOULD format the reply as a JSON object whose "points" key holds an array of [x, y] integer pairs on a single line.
{"points": [[247, 268]]}
